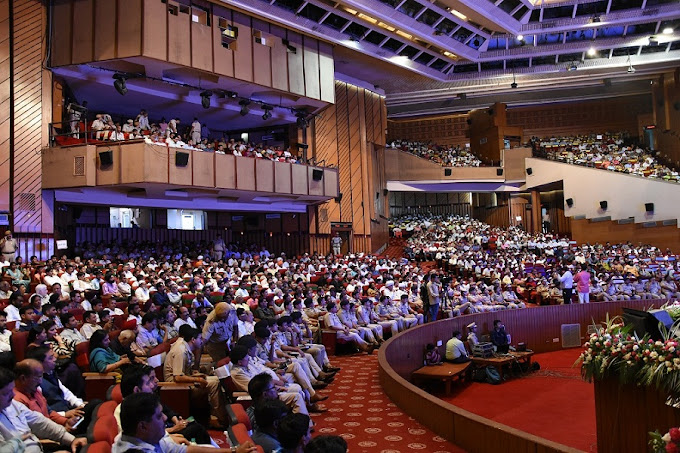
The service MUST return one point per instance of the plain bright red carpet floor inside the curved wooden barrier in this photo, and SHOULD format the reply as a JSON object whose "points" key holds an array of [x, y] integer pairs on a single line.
{"points": [[553, 403]]}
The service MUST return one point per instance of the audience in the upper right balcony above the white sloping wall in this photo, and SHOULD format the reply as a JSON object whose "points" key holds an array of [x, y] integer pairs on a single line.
{"points": [[613, 152]]}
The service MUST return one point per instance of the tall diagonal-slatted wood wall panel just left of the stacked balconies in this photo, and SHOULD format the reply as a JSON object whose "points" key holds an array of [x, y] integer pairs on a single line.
{"points": [[30, 121]]}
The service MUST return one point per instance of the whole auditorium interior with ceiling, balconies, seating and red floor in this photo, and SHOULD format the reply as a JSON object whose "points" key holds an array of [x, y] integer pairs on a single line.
{"points": [[332, 150]]}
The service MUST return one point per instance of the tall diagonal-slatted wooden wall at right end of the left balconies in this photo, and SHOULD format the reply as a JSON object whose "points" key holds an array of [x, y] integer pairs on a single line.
{"points": [[348, 135]]}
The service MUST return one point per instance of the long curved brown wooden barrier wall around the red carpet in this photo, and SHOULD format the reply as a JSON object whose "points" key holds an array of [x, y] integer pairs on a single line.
{"points": [[539, 328]]}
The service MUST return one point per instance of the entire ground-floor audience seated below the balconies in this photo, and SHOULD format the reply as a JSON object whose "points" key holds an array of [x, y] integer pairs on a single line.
{"points": [[266, 317]]}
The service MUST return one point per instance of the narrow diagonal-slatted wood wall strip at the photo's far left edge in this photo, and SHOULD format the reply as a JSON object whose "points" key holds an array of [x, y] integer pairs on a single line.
{"points": [[4, 106]]}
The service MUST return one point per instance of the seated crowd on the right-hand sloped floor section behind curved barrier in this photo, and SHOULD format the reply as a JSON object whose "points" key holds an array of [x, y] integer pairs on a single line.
{"points": [[487, 266]]}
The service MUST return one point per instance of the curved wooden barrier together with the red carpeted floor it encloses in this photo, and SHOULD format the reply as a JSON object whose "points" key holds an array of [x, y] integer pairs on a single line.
{"points": [[466, 424]]}
